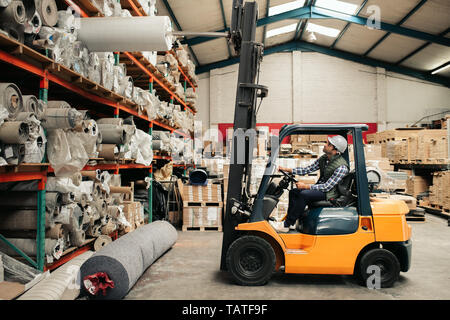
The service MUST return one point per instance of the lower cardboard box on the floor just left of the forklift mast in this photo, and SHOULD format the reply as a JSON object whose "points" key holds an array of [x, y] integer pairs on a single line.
{"points": [[202, 216]]}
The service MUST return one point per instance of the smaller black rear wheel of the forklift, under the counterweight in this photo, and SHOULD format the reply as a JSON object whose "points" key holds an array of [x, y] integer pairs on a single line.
{"points": [[387, 263]]}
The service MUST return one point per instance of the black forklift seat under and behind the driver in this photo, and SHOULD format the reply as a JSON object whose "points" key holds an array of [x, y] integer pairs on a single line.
{"points": [[345, 199]]}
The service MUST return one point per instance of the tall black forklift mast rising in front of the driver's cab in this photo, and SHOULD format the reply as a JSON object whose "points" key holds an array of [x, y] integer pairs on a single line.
{"points": [[242, 37]]}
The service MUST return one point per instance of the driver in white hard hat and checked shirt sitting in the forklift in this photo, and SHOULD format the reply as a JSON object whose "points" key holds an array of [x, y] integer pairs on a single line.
{"points": [[333, 167]]}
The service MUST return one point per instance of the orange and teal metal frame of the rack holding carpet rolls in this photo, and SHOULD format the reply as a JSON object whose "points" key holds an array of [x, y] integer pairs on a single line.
{"points": [[27, 62]]}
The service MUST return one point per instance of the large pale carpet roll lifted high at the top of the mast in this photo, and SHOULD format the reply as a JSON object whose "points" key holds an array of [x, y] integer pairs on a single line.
{"points": [[113, 33]]}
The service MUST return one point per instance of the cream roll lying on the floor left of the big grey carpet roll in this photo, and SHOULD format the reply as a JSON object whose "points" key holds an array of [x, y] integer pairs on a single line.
{"points": [[62, 284]]}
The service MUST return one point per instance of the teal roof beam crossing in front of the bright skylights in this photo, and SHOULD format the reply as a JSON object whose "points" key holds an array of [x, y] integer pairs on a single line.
{"points": [[312, 12]]}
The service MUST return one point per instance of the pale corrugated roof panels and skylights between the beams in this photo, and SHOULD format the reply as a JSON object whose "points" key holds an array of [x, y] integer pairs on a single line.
{"points": [[428, 17]]}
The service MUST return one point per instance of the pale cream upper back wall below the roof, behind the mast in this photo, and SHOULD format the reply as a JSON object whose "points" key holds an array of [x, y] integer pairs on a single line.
{"points": [[311, 87]]}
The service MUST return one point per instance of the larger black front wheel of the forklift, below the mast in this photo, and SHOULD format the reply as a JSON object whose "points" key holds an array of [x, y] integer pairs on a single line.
{"points": [[251, 261]]}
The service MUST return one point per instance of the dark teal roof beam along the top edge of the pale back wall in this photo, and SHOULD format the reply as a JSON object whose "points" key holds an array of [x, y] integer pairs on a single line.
{"points": [[306, 46]]}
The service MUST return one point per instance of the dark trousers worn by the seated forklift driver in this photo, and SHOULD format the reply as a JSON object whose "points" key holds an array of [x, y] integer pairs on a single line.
{"points": [[298, 200]]}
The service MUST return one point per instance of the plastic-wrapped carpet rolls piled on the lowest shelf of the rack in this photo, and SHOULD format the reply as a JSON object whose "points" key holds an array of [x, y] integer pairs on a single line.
{"points": [[90, 204]]}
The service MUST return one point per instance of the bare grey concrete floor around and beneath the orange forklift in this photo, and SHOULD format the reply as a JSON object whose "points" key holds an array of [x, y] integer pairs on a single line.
{"points": [[190, 271]]}
